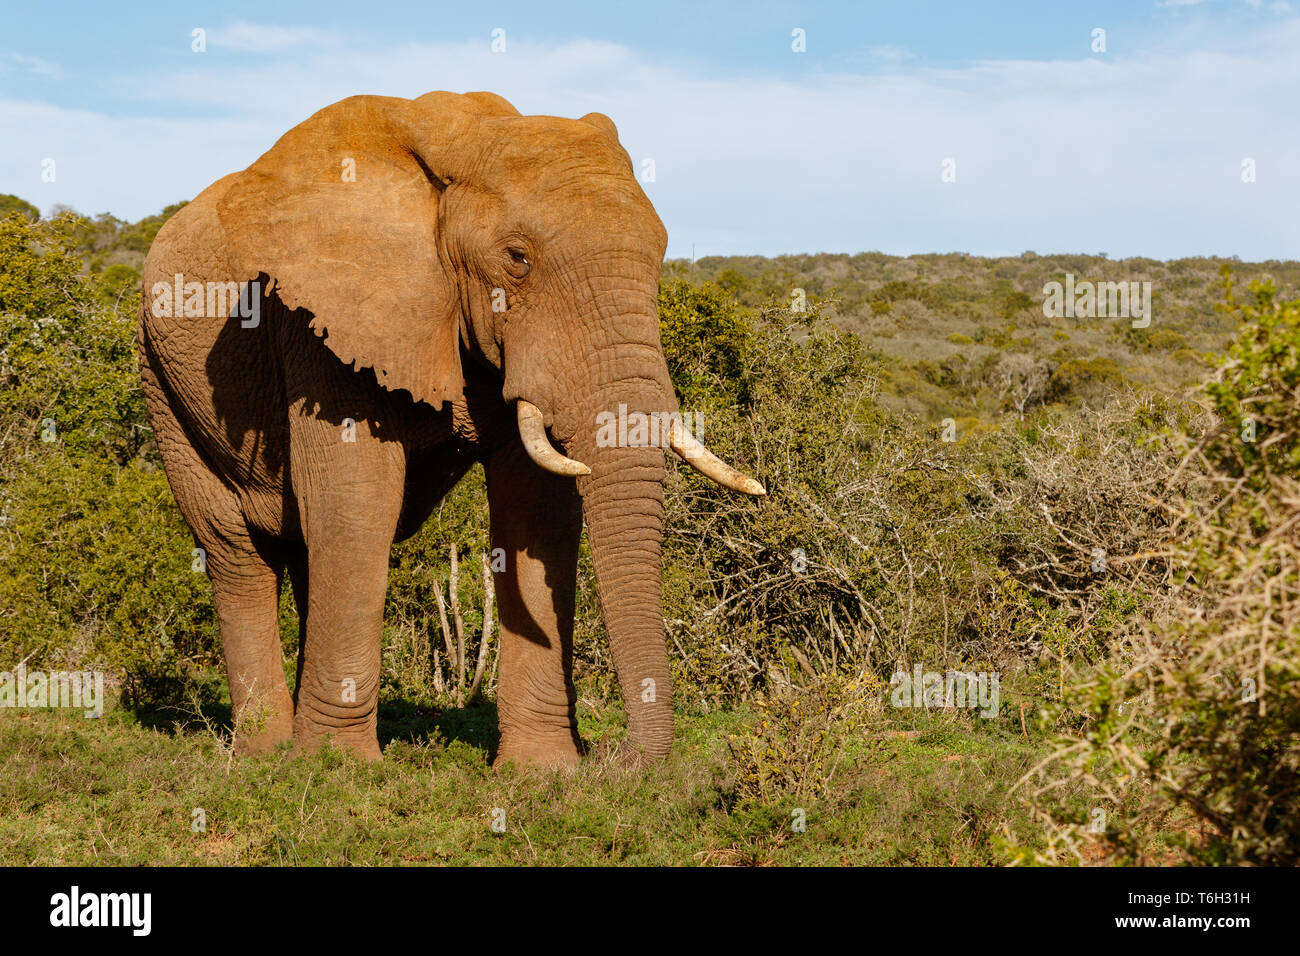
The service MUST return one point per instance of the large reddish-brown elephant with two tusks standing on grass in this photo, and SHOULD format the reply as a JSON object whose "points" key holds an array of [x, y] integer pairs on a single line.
{"points": [[330, 340]]}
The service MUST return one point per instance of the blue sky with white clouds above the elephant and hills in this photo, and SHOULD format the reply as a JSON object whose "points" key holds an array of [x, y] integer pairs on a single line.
{"points": [[1137, 150]]}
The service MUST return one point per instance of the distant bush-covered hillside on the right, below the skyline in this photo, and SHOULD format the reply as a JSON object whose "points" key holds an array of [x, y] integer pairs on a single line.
{"points": [[968, 338]]}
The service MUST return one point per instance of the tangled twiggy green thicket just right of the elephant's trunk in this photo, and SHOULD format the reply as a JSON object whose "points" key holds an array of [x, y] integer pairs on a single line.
{"points": [[878, 540]]}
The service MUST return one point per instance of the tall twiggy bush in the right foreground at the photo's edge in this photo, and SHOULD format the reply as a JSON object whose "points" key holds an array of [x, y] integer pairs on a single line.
{"points": [[1199, 715]]}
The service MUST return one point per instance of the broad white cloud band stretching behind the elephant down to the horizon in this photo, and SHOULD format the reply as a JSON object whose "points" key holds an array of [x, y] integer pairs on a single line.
{"points": [[1137, 157]]}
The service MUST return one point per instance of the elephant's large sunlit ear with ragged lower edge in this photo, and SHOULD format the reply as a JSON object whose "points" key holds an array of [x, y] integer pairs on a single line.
{"points": [[343, 217]]}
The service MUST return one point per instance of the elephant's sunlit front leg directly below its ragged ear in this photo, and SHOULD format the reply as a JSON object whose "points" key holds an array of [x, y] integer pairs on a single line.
{"points": [[349, 487]]}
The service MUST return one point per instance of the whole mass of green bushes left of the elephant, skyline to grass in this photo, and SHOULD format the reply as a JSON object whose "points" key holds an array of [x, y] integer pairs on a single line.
{"points": [[97, 559]]}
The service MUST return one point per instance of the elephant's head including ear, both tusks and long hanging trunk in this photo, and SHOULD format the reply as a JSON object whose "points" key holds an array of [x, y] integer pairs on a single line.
{"points": [[427, 233]]}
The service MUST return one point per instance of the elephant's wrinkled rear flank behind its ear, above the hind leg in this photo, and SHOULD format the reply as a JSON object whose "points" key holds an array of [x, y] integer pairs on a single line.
{"points": [[216, 375]]}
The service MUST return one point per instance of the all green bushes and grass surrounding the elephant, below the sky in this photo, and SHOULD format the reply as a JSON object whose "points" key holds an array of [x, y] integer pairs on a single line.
{"points": [[956, 483]]}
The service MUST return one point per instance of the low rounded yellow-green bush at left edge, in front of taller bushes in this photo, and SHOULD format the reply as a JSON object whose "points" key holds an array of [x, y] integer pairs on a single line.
{"points": [[99, 572]]}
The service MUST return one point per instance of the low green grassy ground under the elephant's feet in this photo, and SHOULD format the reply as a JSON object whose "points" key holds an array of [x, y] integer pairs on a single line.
{"points": [[118, 791]]}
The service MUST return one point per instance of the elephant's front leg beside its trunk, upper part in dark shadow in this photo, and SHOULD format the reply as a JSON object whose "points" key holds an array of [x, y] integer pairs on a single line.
{"points": [[536, 522]]}
